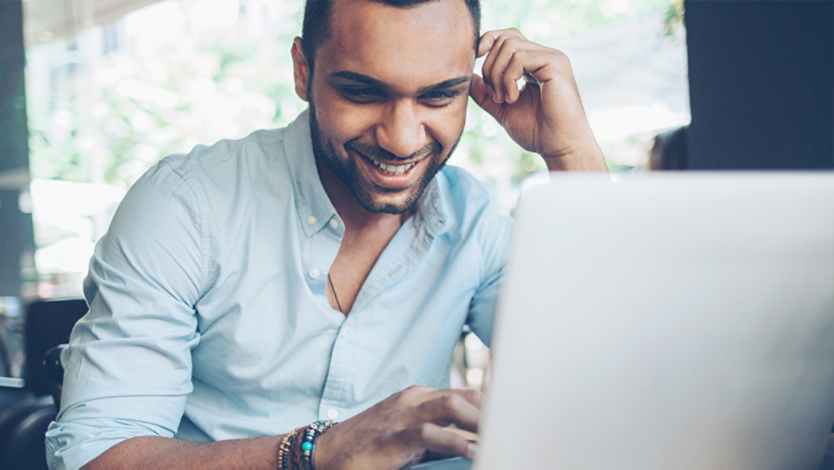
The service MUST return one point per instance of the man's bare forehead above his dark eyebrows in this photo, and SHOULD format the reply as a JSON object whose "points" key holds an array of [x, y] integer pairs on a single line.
{"points": [[429, 42]]}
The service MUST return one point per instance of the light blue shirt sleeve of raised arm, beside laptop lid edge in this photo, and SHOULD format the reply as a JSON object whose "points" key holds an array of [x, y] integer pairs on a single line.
{"points": [[494, 238]]}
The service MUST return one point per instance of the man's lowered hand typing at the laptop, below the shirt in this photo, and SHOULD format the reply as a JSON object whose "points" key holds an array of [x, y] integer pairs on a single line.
{"points": [[401, 429]]}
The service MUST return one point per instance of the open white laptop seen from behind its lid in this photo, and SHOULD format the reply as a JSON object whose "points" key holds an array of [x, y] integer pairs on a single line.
{"points": [[666, 321]]}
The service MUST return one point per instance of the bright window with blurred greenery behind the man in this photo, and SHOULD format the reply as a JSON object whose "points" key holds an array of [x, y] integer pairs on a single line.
{"points": [[113, 86]]}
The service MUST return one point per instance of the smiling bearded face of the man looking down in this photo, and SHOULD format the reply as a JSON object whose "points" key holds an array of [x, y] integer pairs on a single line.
{"points": [[388, 96]]}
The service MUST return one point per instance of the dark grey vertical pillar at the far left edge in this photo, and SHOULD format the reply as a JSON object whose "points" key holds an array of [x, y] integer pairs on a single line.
{"points": [[16, 234]]}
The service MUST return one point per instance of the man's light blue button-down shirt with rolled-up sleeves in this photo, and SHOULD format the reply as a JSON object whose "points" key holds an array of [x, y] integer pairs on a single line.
{"points": [[208, 312]]}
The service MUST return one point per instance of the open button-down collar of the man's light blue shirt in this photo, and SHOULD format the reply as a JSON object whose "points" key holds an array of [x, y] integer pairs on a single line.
{"points": [[311, 201]]}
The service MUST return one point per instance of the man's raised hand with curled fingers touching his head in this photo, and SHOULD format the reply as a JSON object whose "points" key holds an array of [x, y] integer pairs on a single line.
{"points": [[546, 116]]}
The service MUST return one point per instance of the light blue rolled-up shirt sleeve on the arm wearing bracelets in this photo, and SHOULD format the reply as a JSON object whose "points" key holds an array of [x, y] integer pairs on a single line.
{"points": [[128, 366]]}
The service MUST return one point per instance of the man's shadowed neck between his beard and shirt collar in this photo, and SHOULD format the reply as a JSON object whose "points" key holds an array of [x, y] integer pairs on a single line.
{"points": [[354, 216]]}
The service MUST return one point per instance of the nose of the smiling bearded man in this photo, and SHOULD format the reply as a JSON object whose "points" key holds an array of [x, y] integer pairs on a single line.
{"points": [[401, 131]]}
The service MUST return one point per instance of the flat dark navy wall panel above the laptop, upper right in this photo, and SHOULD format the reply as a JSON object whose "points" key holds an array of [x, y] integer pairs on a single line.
{"points": [[761, 77]]}
